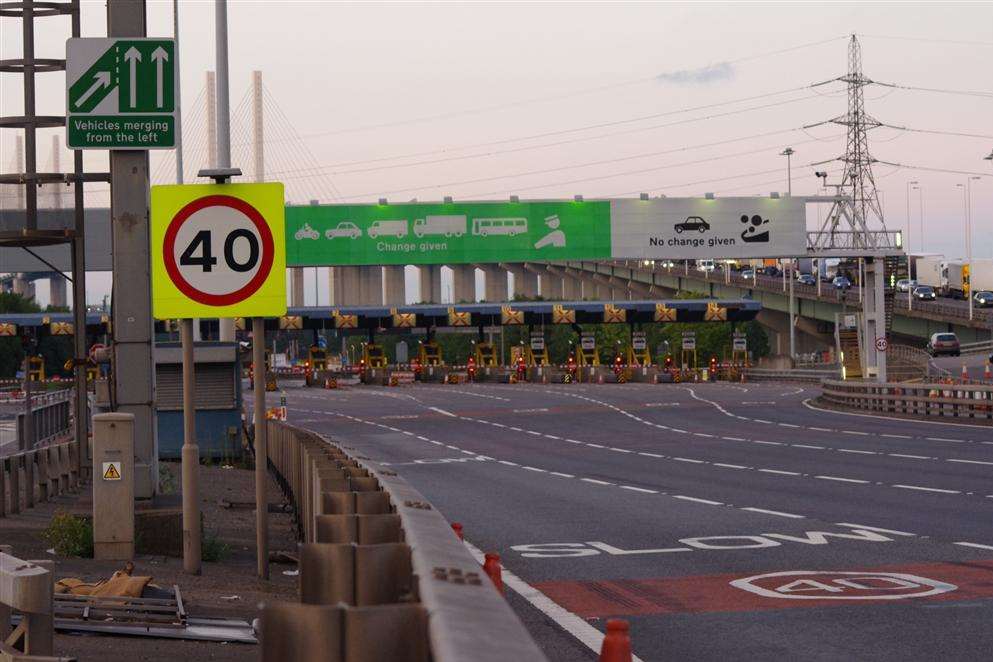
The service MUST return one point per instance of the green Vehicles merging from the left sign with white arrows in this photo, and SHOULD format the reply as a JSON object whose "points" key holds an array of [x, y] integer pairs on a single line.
{"points": [[120, 93]]}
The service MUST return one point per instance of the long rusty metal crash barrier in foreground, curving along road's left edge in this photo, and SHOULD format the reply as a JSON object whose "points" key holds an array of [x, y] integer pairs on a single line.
{"points": [[382, 574]]}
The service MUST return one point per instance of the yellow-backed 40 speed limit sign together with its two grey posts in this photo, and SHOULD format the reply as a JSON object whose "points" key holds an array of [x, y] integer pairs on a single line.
{"points": [[219, 251]]}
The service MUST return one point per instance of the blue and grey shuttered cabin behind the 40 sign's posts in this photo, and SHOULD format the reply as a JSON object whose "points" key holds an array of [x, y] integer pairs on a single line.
{"points": [[218, 399]]}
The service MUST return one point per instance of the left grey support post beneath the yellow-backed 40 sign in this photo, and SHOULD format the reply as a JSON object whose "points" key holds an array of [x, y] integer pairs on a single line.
{"points": [[190, 456]]}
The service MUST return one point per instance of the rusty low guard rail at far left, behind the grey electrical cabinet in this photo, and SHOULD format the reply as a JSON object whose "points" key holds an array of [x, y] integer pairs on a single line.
{"points": [[37, 474]]}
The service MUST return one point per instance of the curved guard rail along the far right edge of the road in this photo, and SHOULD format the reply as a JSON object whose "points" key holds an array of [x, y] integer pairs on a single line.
{"points": [[973, 402]]}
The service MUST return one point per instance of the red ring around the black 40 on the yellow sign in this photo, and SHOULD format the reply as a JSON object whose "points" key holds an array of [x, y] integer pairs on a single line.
{"points": [[251, 287]]}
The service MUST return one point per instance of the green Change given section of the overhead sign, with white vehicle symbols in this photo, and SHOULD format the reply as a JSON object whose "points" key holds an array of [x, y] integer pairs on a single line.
{"points": [[447, 233]]}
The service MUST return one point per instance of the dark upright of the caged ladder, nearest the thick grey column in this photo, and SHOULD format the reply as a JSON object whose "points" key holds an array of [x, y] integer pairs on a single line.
{"points": [[78, 246]]}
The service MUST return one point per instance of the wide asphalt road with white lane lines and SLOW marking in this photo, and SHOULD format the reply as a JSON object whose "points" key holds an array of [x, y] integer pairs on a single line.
{"points": [[671, 505]]}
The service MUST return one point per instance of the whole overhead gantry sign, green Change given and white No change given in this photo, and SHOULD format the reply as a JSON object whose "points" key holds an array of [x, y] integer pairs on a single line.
{"points": [[488, 232]]}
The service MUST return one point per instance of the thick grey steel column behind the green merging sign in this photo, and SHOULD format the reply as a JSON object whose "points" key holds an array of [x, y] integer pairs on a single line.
{"points": [[134, 367]]}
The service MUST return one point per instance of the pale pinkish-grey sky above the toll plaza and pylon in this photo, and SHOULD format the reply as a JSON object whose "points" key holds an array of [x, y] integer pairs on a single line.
{"points": [[336, 69]]}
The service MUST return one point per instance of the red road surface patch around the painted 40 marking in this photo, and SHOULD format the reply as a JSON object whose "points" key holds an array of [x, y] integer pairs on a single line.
{"points": [[714, 593]]}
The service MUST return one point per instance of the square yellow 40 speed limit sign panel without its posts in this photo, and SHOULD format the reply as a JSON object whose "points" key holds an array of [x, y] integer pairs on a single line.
{"points": [[218, 250]]}
